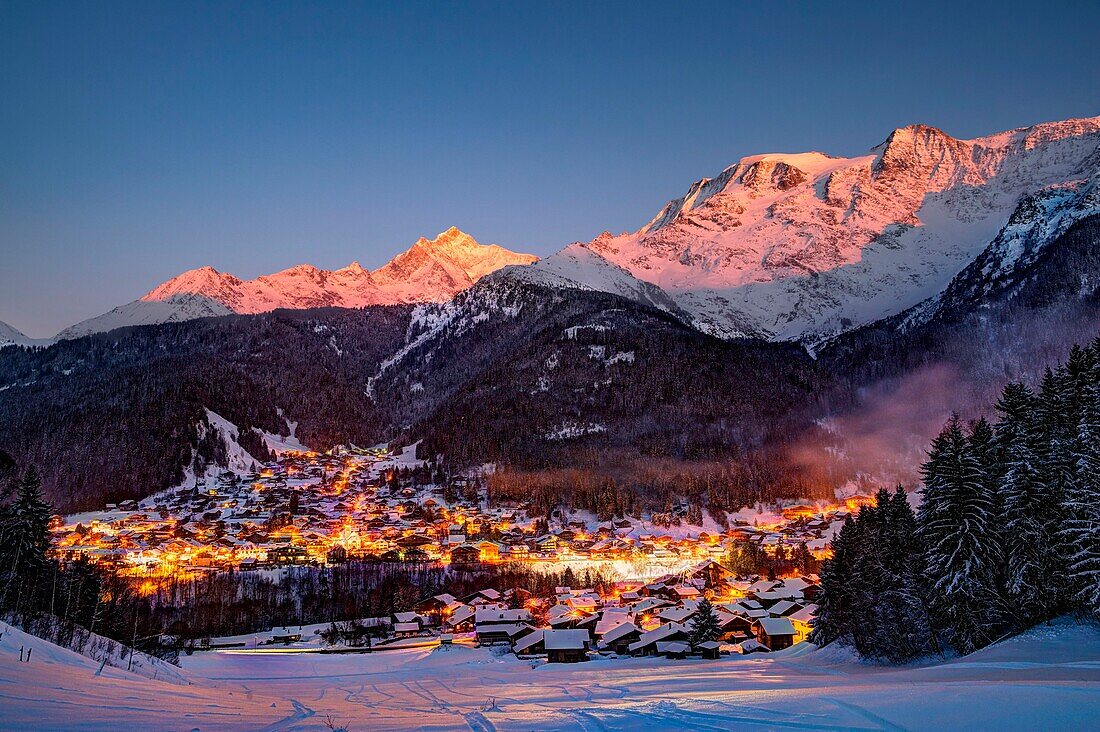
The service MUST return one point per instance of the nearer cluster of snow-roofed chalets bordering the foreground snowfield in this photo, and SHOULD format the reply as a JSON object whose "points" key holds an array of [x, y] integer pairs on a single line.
{"points": [[635, 619]]}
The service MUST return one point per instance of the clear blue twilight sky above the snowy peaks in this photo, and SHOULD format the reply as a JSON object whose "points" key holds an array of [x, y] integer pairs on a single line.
{"points": [[139, 140]]}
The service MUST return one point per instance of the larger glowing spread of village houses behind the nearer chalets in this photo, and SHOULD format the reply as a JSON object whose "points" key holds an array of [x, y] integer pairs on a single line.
{"points": [[316, 509]]}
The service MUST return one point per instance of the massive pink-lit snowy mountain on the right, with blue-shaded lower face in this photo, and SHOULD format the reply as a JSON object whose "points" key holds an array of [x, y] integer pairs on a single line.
{"points": [[807, 246]]}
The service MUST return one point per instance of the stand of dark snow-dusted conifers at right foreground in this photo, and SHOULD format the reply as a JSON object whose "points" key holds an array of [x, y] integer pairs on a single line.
{"points": [[1008, 533]]}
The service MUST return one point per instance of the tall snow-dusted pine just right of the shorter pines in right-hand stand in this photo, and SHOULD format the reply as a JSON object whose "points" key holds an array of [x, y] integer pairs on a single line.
{"points": [[960, 534]]}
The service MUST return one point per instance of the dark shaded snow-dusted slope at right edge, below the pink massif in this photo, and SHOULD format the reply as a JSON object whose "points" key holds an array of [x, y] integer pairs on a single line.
{"points": [[1018, 309]]}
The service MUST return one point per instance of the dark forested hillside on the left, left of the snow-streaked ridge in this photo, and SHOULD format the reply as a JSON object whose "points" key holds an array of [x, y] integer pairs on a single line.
{"points": [[116, 416]]}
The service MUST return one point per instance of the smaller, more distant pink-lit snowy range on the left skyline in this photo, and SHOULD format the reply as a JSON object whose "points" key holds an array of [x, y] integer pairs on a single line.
{"points": [[433, 270]]}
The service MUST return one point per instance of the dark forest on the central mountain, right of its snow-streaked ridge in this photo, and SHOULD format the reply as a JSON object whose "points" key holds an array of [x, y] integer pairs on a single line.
{"points": [[634, 385]]}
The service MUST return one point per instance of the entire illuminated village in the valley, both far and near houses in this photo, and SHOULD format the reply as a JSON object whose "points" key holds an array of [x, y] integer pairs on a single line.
{"points": [[311, 509]]}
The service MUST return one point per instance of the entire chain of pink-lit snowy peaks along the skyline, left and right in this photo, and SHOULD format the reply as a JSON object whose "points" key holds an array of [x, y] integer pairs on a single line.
{"points": [[779, 246]]}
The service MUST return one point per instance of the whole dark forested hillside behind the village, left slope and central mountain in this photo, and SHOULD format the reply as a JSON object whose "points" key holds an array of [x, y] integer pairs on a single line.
{"points": [[526, 376]]}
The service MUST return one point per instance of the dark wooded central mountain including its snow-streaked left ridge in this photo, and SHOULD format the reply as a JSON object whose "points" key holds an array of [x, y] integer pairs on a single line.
{"points": [[526, 370]]}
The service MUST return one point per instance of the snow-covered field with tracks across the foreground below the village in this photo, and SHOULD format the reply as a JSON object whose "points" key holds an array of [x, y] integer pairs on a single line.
{"points": [[1049, 680]]}
